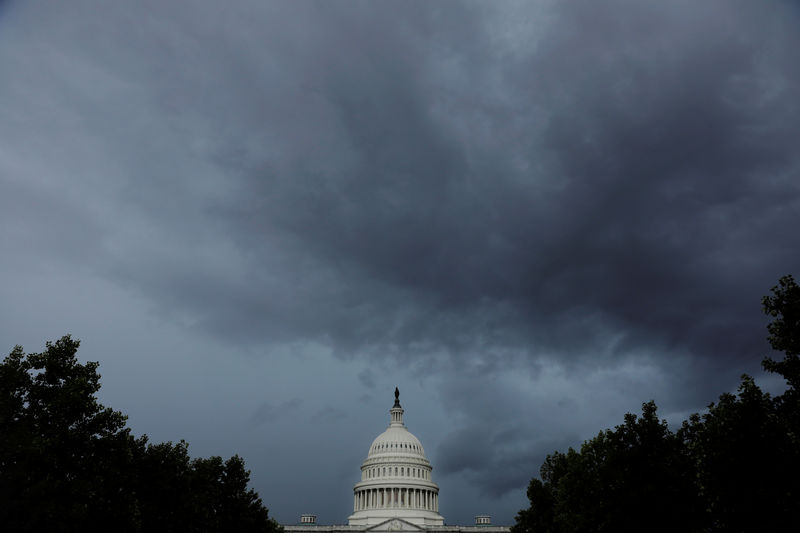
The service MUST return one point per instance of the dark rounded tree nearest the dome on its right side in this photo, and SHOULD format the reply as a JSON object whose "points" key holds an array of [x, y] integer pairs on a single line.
{"points": [[635, 477]]}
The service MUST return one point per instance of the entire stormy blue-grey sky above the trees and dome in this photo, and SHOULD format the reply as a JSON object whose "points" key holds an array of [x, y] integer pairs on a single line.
{"points": [[531, 217]]}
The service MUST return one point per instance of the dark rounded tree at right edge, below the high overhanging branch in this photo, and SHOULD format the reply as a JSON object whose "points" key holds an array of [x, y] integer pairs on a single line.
{"points": [[742, 456]]}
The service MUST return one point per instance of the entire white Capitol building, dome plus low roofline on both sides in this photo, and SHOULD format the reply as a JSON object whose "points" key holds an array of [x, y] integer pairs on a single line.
{"points": [[396, 491]]}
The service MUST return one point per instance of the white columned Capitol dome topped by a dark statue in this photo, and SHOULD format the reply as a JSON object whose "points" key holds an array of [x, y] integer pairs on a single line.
{"points": [[396, 479]]}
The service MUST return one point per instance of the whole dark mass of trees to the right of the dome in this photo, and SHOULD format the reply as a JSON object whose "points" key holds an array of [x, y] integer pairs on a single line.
{"points": [[735, 468]]}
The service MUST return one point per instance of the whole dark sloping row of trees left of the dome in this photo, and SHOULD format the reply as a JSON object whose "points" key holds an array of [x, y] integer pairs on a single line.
{"points": [[67, 463]]}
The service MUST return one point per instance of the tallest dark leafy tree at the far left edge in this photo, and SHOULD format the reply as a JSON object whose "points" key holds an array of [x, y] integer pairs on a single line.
{"points": [[63, 456]]}
